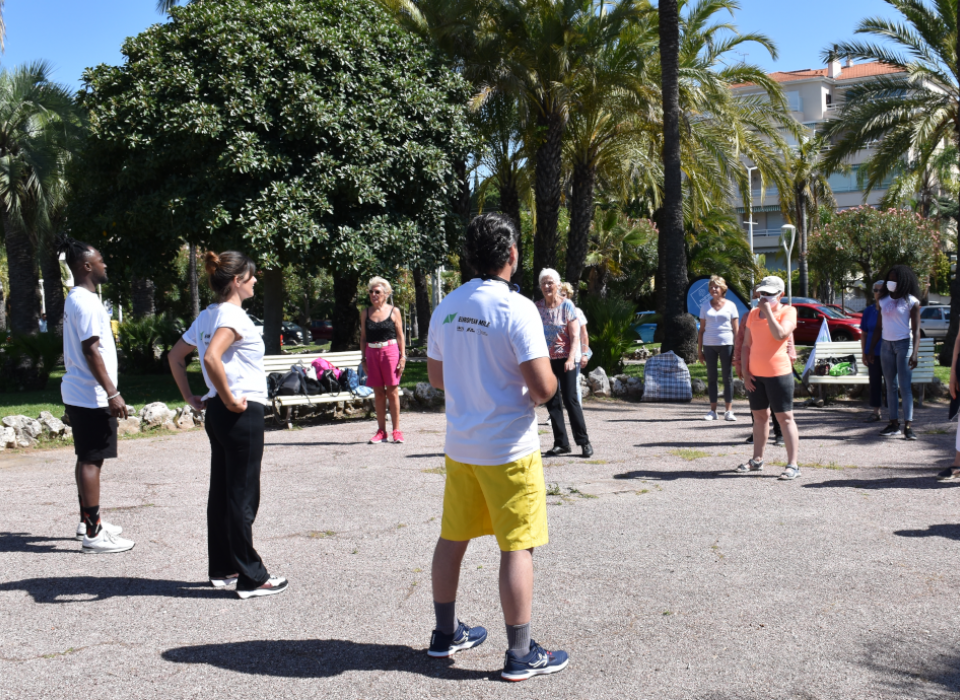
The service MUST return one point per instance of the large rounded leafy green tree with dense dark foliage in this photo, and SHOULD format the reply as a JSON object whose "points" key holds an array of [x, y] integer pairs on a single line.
{"points": [[302, 132]]}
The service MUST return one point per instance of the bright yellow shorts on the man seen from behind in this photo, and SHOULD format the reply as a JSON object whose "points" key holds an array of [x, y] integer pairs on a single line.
{"points": [[509, 501]]}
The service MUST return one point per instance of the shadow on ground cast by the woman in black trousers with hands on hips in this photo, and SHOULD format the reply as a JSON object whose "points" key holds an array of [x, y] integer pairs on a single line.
{"points": [[83, 589]]}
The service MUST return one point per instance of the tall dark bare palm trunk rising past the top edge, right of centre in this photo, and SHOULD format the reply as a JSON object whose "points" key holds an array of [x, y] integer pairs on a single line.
{"points": [[679, 327]]}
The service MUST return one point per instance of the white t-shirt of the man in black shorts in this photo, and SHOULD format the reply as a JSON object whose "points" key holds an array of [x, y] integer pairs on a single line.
{"points": [[84, 317]]}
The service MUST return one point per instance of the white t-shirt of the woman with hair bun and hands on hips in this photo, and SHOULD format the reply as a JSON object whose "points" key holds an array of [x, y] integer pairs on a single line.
{"points": [[243, 360]]}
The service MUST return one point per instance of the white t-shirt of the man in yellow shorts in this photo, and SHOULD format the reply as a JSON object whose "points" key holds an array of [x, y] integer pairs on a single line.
{"points": [[482, 332]]}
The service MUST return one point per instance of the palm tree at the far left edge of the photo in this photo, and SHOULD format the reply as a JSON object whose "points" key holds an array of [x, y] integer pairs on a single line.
{"points": [[35, 123]]}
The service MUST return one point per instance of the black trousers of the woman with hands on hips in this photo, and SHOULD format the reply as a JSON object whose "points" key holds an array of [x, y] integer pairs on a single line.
{"points": [[236, 450]]}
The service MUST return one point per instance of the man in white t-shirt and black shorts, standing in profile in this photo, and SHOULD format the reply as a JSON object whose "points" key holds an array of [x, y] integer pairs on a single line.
{"points": [[89, 390]]}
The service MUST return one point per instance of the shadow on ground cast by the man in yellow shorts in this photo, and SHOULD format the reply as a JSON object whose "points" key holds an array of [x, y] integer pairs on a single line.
{"points": [[319, 658]]}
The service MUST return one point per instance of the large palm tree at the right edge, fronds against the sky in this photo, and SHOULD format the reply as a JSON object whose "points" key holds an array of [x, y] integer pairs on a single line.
{"points": [[912, 111]]}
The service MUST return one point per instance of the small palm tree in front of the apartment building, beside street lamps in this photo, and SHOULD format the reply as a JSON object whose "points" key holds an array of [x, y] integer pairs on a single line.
{"points": [[807, 188]]}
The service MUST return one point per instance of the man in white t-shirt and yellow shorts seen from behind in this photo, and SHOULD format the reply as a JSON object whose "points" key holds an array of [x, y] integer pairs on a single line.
{"points": [[488, 353]]}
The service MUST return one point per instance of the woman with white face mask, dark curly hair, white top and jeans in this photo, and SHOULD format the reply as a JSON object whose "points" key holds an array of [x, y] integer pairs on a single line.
{"points": [[899, 325]]}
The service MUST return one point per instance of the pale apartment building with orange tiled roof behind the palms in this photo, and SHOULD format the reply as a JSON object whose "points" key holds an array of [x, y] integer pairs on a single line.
{"points": [[814, 96]]}
